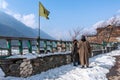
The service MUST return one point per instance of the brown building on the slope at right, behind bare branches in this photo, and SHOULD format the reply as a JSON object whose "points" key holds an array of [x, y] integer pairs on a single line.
{"points": [[107, 34]]}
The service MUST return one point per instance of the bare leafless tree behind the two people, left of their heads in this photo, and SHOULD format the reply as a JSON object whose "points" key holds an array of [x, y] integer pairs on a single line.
{"points": [[75, 33]]}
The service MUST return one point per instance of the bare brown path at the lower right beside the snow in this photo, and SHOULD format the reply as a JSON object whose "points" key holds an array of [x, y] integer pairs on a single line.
{"points": [[114, 73]]}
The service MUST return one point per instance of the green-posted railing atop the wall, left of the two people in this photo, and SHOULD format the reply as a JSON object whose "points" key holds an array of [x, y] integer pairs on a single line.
{"points": [[20, 45]]}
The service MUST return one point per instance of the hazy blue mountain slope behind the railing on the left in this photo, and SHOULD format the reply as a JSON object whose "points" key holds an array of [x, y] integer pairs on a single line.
{"points": [[11, 27]]}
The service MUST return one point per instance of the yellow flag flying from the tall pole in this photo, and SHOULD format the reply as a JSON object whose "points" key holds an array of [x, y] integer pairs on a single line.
{"points": [[43, 11]]}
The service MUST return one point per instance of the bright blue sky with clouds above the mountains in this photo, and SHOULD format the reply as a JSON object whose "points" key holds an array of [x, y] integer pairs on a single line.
{"points": [[64, 15]]}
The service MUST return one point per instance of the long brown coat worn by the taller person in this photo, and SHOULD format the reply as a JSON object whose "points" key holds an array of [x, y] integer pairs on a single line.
{"points": [[84, 52]]}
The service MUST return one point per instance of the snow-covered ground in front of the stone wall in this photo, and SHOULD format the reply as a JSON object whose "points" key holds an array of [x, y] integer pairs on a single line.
{"points": [[99, 67]]}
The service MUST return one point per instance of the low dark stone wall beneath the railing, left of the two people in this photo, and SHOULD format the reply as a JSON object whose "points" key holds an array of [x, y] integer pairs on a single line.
{"points": [[26, 67]]}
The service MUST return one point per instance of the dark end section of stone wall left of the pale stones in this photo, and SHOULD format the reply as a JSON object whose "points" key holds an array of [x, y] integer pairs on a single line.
{"points": [[11, 66]]}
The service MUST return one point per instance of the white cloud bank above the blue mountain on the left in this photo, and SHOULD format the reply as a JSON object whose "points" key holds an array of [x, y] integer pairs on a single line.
{"points": [[28, 20]]}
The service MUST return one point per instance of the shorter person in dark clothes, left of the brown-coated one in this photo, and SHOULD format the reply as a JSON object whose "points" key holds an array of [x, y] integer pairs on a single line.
{"points": [[75, 55]]}
